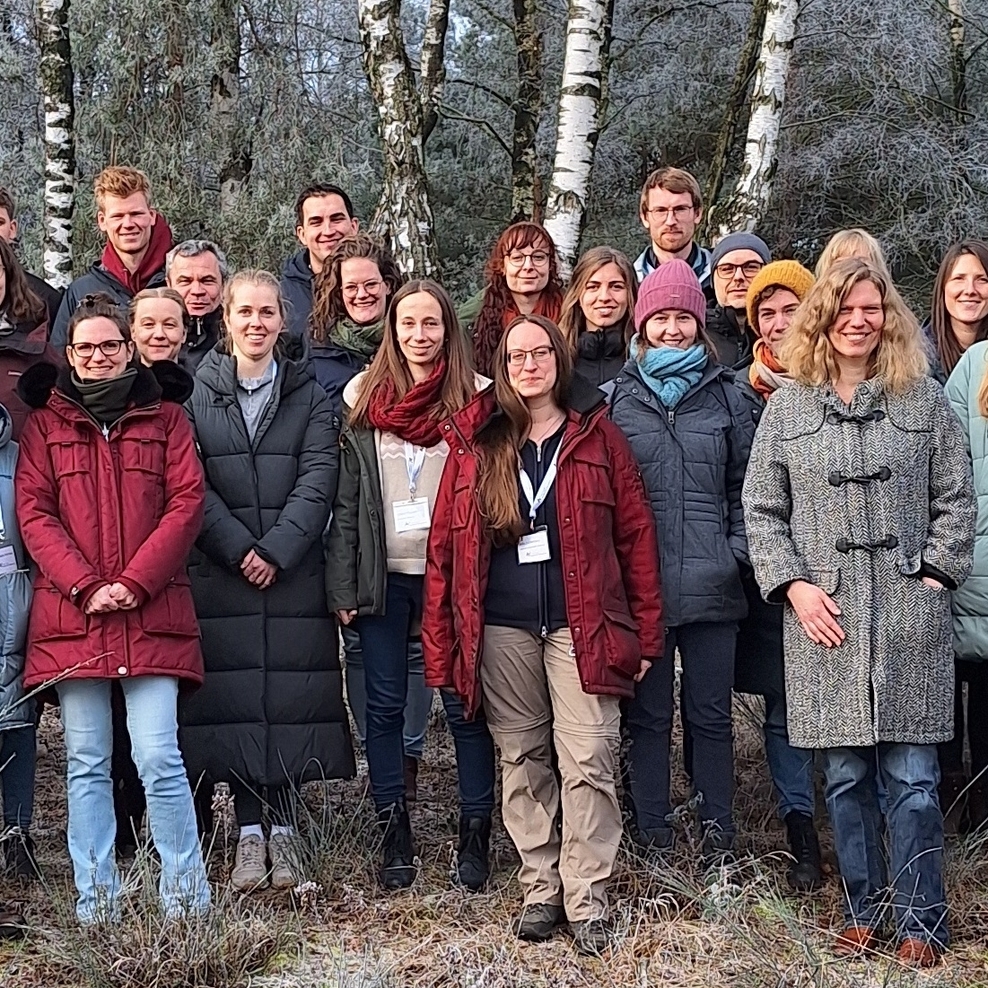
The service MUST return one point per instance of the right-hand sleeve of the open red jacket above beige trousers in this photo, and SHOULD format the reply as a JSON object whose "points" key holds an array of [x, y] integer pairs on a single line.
{"points": [[636, 543]]}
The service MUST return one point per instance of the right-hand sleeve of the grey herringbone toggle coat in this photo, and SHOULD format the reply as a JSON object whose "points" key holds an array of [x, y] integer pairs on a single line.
{"points": [[949, 550]]}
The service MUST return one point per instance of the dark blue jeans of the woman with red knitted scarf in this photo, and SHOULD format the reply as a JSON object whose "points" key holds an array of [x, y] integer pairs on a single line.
{"points": [[385, 644]]}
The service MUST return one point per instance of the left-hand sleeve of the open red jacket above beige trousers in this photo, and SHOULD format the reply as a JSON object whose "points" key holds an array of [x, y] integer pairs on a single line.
{"points": [[438, 634]]}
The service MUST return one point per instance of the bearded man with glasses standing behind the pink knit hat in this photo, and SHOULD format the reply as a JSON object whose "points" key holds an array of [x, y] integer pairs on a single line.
{"points": [[671, 209]]}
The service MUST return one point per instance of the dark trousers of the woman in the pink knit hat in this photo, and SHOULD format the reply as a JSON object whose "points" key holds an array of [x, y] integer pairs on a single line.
{"points": [[707, 653]]}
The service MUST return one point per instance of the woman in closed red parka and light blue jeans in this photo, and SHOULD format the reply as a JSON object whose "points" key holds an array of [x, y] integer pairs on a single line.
{"points": [[110, 499]]}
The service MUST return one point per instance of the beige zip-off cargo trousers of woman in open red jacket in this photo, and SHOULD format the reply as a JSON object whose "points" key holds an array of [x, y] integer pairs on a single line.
{"points": [[534, 702]]}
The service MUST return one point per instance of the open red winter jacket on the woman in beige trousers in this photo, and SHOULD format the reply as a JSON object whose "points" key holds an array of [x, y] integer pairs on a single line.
{"points": [[609, 551]]}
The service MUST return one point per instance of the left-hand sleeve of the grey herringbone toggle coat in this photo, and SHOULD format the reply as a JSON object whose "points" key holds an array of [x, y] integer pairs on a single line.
{"points": [[767, 499]]}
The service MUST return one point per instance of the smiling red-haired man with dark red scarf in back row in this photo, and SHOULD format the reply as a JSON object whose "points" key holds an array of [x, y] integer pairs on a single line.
{"points": [[137, 240]]}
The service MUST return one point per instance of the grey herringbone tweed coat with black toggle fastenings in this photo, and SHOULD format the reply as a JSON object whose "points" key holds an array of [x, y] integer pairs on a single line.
{"points": [[863, 501]]}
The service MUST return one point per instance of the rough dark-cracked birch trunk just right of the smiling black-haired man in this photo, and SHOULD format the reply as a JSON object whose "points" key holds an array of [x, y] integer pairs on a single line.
{"points": [[403, 213]]}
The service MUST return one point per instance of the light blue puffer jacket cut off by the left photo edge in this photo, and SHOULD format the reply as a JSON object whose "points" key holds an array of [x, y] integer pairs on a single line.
{"points": [[15, 594]]}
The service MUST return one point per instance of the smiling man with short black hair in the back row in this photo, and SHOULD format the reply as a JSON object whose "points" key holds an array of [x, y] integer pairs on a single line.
{"points": [[323, 216]]}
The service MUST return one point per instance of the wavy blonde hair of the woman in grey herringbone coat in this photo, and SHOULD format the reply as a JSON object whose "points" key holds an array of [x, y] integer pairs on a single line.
{"points": [[807, 353]]}
